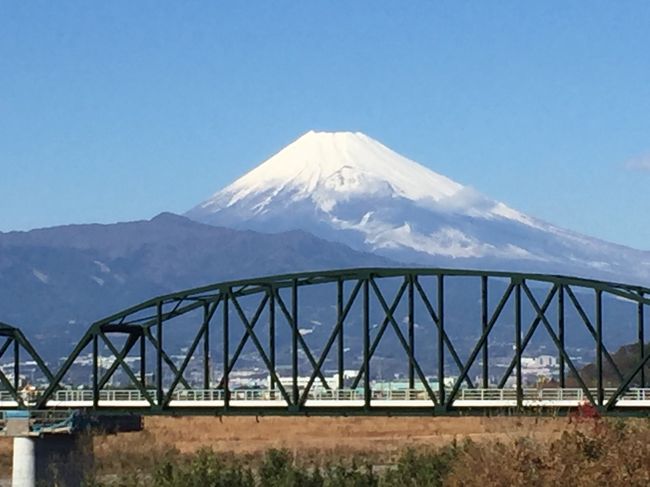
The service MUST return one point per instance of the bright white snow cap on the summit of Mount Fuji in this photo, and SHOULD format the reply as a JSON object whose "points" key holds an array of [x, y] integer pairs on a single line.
{"points": [[320, 164]]}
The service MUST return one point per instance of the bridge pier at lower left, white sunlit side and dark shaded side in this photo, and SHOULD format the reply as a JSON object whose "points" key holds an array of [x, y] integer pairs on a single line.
{"points": [[53, 459]]}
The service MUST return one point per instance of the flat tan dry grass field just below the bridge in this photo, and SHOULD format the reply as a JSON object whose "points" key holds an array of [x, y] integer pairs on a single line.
{"points": [[376, 439]]}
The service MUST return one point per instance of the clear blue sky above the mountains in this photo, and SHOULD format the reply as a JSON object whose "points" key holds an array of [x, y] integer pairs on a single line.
{"points": [[120, 110]]}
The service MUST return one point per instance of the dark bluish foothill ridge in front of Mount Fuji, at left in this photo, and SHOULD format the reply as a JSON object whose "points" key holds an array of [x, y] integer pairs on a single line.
{"points": [[54, 282]]}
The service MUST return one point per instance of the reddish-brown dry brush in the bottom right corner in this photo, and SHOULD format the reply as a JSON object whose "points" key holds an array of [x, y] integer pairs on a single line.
{"points": [[600, 453]]}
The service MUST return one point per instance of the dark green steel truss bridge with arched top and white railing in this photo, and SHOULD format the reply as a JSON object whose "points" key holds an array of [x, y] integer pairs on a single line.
{"points": [[462, 341]]}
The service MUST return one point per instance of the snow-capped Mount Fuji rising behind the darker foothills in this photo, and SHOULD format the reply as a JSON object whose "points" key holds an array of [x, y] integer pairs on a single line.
{"points": [[349, 188]]}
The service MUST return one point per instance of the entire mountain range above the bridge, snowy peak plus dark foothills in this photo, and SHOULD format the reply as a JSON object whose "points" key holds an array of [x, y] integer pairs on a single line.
{"points": [[329, 200]]}
